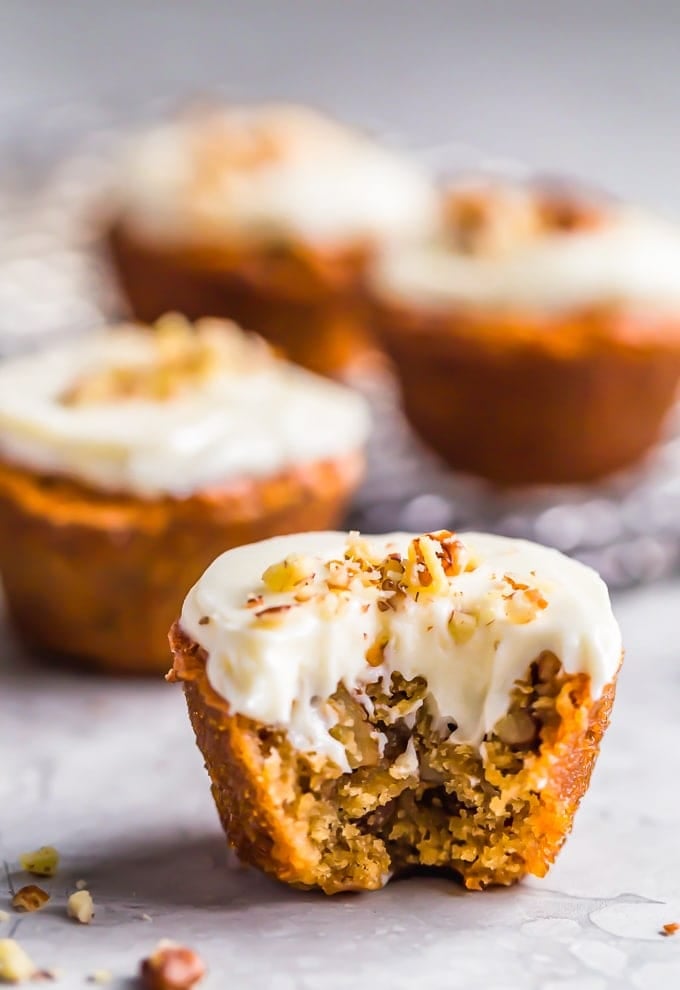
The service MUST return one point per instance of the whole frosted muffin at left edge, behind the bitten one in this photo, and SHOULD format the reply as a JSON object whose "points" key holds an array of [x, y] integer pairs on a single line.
{"points": [[131, 458]]}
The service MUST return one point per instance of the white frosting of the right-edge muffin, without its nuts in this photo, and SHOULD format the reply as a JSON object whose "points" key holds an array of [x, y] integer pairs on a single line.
{"points": [[630, 258]]}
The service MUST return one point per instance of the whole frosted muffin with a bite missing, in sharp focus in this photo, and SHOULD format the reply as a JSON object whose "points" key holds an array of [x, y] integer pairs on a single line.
{"points": [[365, 706]]}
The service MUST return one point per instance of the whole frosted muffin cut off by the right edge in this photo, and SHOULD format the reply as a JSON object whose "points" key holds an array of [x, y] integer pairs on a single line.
{"points": [[538, 338]]}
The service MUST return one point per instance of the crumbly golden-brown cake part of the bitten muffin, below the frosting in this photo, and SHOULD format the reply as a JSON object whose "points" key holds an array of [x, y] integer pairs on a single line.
{"points": [[486, 819]]}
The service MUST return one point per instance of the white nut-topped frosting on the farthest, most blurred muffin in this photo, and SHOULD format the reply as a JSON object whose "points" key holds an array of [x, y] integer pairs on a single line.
{"points": [[270, 172]]}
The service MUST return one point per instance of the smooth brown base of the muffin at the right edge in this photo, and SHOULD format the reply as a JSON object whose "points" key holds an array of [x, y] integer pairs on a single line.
{"points": [[519, 398]]}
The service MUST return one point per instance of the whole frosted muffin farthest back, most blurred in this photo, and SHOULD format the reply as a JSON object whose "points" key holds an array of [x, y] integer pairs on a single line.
{"points": [[268, 215]]}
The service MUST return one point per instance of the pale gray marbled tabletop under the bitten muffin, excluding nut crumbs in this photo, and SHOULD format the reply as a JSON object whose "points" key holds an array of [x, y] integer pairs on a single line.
{"points": [[107, 771]]}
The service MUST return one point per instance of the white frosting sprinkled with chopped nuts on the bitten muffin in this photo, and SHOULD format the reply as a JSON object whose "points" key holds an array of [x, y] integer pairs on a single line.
{"points": [[285, 621]]}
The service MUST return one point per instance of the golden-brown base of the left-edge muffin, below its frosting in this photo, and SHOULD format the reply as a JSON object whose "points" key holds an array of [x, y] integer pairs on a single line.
{"points": [[101, 577]]}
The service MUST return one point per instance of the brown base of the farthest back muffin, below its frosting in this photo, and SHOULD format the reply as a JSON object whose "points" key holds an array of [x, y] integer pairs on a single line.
{"points": [[306, 303]]}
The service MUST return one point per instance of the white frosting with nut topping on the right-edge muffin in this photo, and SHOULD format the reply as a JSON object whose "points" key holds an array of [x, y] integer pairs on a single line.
{"points": [[513, 247]]}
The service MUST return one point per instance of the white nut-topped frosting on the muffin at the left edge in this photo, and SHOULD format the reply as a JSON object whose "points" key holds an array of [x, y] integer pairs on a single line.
{"points": [[246, 414]]}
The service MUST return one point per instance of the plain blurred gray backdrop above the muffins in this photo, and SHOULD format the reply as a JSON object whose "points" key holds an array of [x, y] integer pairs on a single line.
{"points": [[591, 88]]}
